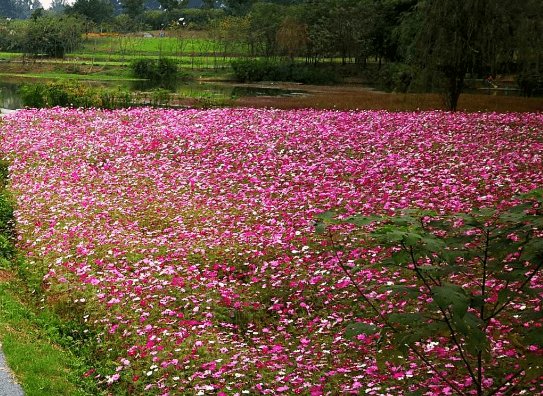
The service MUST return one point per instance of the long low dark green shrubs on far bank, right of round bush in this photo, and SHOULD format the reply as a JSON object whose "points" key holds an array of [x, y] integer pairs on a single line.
{"points": [[250, 70]]}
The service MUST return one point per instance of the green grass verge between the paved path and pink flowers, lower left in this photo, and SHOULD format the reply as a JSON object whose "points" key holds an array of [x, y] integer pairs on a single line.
{"points": [[36, 342]]}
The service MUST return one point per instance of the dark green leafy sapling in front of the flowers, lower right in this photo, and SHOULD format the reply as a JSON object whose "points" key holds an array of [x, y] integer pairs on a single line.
{"points": [[471, 292]]}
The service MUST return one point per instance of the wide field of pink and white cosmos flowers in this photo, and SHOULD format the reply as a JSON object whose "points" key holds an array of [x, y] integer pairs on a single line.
{"points": [[185, 240]]}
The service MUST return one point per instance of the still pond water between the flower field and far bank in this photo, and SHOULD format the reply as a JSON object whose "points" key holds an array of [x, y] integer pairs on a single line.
{"points": [[10, 98]]}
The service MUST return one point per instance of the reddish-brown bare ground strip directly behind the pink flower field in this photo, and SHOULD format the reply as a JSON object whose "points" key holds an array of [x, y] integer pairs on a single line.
{"points": [[351, 97]]}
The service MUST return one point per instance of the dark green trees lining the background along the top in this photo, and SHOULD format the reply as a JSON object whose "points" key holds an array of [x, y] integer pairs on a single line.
{"points": [[427, 44]]}
